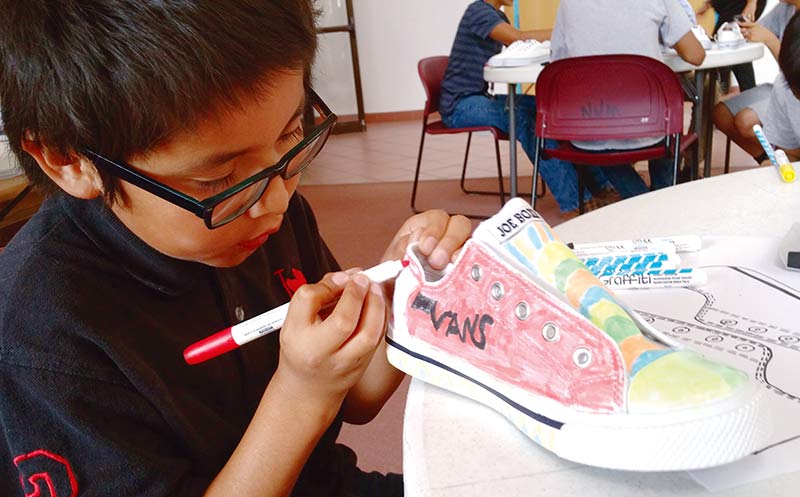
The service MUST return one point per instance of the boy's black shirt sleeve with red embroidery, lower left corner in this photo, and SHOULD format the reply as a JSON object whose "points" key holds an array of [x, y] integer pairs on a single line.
{"points": [[87, 437]]}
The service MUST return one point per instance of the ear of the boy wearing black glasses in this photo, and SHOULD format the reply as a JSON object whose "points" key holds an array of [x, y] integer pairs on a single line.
{"points": [[73, 173]]}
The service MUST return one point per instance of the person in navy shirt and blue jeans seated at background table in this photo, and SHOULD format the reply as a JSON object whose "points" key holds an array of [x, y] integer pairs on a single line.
{"points": [[482, 32]]}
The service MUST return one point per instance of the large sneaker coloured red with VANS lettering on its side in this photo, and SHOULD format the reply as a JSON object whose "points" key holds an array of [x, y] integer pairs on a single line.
{"points": [[519, 324]]}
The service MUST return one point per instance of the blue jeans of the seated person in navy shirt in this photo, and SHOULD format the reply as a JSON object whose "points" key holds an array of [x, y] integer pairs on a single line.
{"points": [[560, 176]]}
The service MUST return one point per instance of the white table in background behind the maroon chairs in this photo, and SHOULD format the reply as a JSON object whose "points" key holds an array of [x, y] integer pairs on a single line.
{"points": [[715, 58]]}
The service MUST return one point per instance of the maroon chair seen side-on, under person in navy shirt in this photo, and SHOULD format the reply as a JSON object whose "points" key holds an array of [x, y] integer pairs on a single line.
{"points": [[431, 72]]}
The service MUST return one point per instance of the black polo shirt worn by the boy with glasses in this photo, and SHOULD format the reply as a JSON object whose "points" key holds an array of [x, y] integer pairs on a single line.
{"points": [[95, 398]]}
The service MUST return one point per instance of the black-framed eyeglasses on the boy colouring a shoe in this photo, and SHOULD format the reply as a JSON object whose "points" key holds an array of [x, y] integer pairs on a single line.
{"points": [[226, 206]]}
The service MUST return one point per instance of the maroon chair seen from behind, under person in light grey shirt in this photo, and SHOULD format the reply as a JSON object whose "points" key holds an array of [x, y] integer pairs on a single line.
{"points": [[605, 97]]}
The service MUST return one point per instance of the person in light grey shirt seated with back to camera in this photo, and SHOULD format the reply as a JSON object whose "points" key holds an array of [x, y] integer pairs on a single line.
{"points": [[599, 27]]}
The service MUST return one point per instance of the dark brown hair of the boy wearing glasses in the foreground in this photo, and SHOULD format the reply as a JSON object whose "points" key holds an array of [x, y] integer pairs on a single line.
{"points": [[121, 76]]}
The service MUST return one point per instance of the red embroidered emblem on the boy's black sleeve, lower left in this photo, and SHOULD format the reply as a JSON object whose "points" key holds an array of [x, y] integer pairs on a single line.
{"points": [[43, 467]]}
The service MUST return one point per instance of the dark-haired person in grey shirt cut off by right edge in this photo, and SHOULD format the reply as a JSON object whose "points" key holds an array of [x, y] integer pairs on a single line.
{"points": [[781, 121]]}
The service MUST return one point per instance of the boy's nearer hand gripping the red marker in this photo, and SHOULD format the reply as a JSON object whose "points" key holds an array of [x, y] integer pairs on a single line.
{"points": [[324, 351]]}
